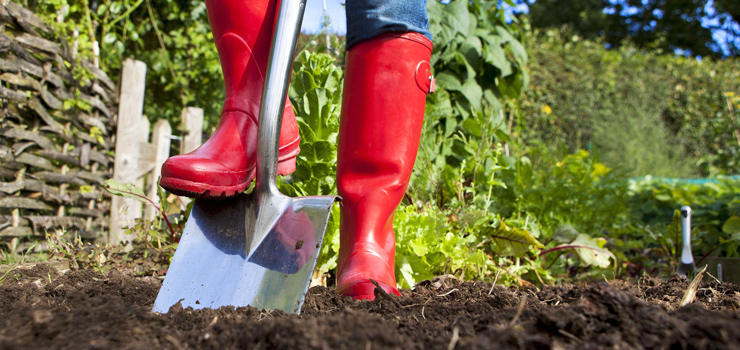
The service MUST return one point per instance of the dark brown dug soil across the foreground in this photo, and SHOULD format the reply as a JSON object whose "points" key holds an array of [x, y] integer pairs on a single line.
{"points": [[87, 310]]}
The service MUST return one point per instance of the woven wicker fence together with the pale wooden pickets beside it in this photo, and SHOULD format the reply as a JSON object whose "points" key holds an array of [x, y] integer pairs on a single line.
{"points": [[59, 134]]}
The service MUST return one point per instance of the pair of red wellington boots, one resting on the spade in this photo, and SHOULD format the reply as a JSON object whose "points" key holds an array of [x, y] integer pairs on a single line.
{"points": [[386, 82]]}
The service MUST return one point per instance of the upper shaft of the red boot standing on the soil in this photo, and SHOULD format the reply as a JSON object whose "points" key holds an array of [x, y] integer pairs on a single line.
{"points": [[386, 83]]}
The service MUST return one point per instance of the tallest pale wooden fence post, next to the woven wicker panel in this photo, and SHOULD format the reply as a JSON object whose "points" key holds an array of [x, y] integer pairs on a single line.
{"points": [[128, 138]]}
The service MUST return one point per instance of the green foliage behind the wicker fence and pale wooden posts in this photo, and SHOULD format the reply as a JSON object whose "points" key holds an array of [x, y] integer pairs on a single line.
{"points": [[172, 37]]}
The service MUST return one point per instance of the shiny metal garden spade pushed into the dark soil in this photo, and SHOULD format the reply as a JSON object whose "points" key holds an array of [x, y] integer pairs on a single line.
{"points": [[260, 248]]}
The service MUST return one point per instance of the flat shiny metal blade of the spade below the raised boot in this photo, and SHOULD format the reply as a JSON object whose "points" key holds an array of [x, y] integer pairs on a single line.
{"points": [[212, 267]]}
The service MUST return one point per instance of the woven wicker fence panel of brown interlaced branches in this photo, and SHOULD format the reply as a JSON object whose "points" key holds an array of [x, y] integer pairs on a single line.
{"points": [[56, 135]]}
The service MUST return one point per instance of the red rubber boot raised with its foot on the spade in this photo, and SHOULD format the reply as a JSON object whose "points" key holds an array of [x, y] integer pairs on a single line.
{"points": [[225, 164]]}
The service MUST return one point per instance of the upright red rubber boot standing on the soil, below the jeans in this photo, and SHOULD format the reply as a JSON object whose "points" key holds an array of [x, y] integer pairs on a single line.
{"points": [[385, 87]]}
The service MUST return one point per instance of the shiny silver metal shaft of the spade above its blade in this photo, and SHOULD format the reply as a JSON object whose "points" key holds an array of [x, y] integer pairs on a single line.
{"points": [[274, 92]]}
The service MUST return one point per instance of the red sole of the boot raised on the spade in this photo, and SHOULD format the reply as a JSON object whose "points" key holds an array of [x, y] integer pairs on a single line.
{"points": [[199, 190]]}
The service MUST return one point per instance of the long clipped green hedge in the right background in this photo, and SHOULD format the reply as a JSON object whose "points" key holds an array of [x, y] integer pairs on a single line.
{"points": [[663, 115]]}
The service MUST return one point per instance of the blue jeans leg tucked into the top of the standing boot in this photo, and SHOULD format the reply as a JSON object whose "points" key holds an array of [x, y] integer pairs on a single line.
{"points": [[369, 18]]}
